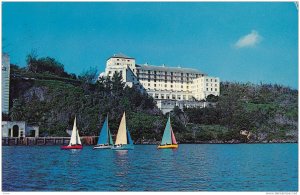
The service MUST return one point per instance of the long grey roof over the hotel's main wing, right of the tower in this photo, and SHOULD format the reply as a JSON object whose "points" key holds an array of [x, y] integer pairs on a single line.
{"points": [[169, 69]]}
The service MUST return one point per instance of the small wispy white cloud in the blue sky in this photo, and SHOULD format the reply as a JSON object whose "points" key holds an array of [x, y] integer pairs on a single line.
{"points": [[249, 40]]}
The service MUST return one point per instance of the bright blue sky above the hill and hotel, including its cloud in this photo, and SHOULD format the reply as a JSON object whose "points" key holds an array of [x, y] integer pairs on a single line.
{"points": [[238, 42]]}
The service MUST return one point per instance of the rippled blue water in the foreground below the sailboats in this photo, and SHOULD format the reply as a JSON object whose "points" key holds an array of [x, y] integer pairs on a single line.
{"points": [[192, 167]]}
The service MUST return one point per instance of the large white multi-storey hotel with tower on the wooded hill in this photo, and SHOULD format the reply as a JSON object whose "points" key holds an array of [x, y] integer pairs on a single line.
{"points": [[169, 86]]}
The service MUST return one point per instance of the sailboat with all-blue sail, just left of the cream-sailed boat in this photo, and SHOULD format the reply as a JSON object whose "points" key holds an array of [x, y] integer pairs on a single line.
{"points": [[105, 140]]}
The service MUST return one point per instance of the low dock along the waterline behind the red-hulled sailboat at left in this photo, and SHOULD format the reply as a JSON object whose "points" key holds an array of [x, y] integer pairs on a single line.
{"points": [[40, 141]]}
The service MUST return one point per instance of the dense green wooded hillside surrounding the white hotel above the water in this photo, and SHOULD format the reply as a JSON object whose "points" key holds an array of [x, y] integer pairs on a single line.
{"points": [[43, 93]]}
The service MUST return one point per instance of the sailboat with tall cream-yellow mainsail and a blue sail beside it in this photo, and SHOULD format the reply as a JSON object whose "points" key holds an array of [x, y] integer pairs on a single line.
{"points": [[123, 141]]}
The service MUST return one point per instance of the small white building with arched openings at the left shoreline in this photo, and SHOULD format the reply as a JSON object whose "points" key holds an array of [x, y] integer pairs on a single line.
{"points": [[19, 129]]}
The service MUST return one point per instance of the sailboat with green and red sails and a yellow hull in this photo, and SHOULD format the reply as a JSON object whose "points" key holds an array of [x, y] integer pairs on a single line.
{"points": [[168, 140]]}
